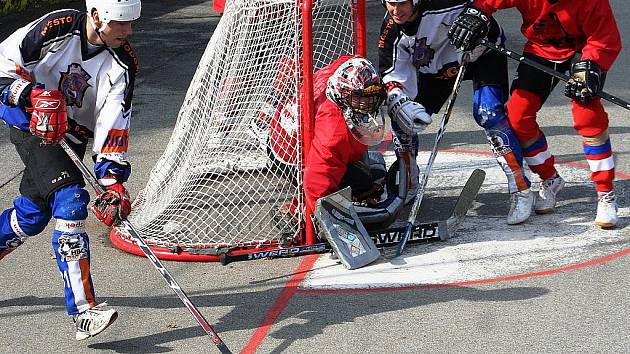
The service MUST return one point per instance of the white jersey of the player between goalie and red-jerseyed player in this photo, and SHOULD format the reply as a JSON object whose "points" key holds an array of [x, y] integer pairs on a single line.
{"points": [[422, 47]]}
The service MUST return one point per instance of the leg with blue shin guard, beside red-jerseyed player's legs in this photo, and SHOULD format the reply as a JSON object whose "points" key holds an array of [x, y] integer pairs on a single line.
{"points": [[490, 85]]}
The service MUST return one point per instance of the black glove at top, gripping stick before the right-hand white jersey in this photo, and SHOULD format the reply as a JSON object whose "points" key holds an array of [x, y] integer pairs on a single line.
{"points": [[470, 26]]}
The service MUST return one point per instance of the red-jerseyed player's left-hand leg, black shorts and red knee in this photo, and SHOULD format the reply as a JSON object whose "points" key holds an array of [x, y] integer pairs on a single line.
{"points": [[530, 90]]}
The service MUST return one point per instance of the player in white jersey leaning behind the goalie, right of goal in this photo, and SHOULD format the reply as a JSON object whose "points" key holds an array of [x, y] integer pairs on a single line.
{"points": [[419, 66]]}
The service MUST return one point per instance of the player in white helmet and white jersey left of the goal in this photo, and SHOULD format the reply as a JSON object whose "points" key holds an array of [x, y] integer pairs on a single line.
{"points": [[70, 74]]}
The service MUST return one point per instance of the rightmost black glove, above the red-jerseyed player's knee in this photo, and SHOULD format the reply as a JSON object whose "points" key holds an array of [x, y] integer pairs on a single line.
{"points": [[585, 81]]}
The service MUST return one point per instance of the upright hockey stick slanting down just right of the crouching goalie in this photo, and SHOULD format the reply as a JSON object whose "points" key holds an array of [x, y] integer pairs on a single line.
{"points": [[425, 177]]}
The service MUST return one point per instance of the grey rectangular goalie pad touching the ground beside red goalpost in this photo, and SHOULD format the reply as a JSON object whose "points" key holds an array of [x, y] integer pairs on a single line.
{"points": [[344, 231]]}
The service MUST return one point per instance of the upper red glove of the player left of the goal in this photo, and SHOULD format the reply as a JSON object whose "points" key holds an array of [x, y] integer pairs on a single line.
{"points": [[49, 119]]}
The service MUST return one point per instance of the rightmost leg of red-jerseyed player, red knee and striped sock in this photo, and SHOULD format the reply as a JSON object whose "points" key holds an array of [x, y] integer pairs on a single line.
{"points": [[591, 122]]}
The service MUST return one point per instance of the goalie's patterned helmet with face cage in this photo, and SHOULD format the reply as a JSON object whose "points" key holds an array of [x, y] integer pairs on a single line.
{"points": [[357, 89]]}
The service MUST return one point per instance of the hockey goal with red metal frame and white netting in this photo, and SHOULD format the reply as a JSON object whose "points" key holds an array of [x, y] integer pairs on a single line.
{"points": [[236, 154]]}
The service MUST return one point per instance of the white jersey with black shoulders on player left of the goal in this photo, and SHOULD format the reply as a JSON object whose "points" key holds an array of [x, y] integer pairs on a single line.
{"points": [[96, 81]]}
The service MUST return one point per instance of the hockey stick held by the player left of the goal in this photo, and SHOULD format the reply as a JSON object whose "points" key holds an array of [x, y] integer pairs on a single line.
{"points": [[127, 226]]}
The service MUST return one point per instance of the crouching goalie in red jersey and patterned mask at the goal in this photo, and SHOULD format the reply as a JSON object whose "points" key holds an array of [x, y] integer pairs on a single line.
{"points": [[348, 95]]}
